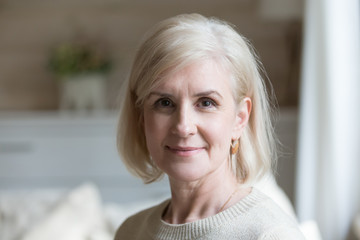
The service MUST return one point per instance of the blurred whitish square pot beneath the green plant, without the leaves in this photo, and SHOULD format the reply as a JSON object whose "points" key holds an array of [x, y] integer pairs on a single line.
{"points": [[83, 92]]}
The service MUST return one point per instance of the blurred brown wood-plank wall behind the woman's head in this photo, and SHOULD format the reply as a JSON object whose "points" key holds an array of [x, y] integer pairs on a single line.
{"points": [[31, 30]]}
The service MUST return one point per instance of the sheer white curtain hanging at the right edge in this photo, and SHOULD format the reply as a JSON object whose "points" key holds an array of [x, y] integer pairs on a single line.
{"points": [[328, 182]]}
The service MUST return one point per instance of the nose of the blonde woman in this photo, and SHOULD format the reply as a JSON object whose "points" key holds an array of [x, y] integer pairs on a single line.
{"points": [[184, 122]]}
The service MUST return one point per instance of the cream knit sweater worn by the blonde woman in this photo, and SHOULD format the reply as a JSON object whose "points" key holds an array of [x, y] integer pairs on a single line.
{"points": [[254, 217]]}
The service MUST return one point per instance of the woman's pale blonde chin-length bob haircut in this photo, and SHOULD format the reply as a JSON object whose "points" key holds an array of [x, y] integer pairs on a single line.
{"points": [[173, 44]]}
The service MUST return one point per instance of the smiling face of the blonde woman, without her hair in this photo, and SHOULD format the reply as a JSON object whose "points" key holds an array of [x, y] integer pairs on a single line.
{"points": [[190, 120]]}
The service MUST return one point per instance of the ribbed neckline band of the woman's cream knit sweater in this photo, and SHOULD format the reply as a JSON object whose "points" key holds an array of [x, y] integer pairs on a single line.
{"points": [[191, 230]]}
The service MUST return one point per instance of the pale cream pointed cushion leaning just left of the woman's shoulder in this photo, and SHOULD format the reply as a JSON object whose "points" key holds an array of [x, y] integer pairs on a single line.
{"points": [[77, 217]]}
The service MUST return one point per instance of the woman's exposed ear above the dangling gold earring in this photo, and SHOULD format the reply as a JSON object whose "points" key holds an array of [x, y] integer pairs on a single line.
{"points": [[242, 117]]}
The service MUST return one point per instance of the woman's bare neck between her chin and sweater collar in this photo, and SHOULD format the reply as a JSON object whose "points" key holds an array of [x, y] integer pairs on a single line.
{"points": [[203, 198]]}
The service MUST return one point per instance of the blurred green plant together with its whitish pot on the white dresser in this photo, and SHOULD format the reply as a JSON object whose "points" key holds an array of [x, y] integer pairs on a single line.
{"points": [[81, 69]]}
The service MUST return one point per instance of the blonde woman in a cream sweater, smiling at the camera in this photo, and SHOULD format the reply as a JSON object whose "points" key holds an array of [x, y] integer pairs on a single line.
{"points": [[196, 109]]}
